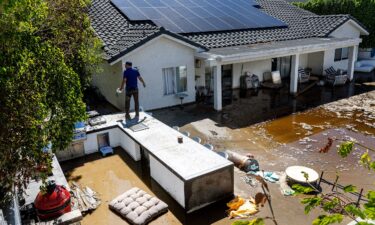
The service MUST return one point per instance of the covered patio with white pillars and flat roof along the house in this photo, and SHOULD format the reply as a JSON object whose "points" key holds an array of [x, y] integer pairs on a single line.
{"points": [[223, 67]]}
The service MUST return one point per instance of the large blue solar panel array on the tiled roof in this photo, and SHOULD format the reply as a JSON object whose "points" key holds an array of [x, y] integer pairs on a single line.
{"points": [[191, 16]]}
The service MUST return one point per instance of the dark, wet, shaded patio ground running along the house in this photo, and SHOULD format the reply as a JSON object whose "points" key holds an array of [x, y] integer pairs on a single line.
{"points": [[250, 107]]}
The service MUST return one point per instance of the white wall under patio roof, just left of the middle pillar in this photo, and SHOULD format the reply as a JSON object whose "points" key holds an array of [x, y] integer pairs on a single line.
{"points": [[254, 67]]}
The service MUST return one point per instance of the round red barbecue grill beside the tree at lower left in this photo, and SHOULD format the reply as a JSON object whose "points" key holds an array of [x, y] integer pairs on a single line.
{"points": [[54, 203]]}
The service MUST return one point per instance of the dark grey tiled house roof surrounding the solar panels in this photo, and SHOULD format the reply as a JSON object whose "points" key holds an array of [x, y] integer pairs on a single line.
{"points": [[121, 36]]}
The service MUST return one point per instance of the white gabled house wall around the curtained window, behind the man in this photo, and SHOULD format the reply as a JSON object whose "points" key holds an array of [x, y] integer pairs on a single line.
{"points": [[150, 60]]}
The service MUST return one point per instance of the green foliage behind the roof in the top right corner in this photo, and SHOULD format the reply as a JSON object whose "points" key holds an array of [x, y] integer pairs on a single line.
{"points": [[362, 10]]}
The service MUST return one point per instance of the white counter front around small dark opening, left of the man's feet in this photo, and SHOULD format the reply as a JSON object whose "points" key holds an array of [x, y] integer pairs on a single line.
{"points": [[91, 143]]}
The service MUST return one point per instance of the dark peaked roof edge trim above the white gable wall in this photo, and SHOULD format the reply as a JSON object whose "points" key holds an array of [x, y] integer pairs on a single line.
{"points": [[162, 31]]}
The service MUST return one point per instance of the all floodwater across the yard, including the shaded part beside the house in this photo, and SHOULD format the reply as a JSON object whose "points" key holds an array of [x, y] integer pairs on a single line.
{"points": [[292, 134]]}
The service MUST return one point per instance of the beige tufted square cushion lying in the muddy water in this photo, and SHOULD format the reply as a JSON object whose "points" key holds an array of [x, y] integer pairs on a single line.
{"points": [[137, 206]]}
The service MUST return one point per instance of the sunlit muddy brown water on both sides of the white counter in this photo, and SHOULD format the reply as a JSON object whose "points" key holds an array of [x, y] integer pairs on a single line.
{"points": [[276, 144]]}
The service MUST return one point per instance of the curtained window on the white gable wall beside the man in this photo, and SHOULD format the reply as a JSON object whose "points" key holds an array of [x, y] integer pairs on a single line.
{"points": [[174, 80]]}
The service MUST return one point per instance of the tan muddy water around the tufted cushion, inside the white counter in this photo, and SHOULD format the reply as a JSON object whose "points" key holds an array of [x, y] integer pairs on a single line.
{"points": [[110, 177]]}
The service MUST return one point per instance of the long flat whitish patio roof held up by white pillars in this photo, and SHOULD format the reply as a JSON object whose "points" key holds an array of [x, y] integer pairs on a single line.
{"points": [[261, 51]]}
